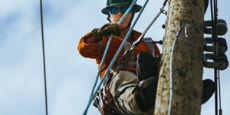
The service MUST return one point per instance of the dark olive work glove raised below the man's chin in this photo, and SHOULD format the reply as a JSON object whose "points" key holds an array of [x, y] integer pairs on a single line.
{"points": [[106, 30]]}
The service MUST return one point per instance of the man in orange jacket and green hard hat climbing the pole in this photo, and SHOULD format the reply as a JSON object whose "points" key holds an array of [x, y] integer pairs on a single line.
{"points": [[123, 94]]}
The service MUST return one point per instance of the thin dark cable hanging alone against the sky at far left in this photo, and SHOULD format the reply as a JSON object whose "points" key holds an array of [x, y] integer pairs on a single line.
{"points": [[44, 64]]}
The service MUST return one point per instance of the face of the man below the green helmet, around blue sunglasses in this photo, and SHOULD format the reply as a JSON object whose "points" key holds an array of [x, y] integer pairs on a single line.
{"points": [[116, 17]]}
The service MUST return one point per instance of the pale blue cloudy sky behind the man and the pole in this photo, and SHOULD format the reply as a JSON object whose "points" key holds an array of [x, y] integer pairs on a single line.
{"points": [[70, 77]]}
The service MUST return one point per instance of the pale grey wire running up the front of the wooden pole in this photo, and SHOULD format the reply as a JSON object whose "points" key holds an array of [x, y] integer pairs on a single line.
{"points": [[171, 80]]}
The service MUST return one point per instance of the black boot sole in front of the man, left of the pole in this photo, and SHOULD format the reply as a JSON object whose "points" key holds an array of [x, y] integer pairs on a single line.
{"points": [[147, 68]]}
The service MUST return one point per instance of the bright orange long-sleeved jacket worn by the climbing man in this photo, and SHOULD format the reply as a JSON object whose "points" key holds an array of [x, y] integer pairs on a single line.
{"points": [[92, 50]]}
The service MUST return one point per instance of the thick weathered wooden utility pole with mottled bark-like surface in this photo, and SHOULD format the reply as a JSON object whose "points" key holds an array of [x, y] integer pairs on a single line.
{"points": [[187, 62]]}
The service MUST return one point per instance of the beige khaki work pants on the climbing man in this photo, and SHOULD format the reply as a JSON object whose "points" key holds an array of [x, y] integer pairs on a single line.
{"points": [[128, 97]]}
